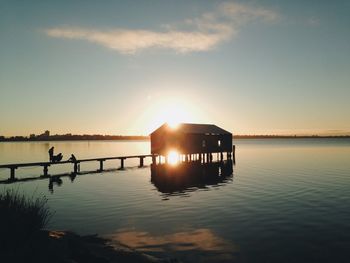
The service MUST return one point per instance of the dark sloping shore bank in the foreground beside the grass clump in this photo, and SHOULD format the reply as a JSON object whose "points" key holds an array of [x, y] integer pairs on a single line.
{"points": [[68, 247]]}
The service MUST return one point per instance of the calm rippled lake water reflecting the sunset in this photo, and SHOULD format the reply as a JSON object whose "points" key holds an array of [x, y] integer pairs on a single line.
{"points": [[288, 200]]}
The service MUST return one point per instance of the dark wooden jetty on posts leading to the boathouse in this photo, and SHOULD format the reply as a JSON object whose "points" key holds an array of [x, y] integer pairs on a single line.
{"points": [[76, 164]]}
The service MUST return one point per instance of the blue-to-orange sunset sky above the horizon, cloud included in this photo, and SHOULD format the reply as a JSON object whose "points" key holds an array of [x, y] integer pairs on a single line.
{"points": [[125, 67]]}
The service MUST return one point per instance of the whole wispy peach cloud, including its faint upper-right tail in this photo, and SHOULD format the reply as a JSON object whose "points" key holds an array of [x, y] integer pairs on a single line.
{"points": [[193, 35]]}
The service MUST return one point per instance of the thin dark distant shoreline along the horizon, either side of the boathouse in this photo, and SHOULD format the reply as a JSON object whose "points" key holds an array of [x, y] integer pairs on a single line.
{"points": [[146, 138]]}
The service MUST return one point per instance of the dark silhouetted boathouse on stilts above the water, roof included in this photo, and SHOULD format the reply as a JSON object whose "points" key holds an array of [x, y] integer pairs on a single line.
{"points": [[192, 142]]}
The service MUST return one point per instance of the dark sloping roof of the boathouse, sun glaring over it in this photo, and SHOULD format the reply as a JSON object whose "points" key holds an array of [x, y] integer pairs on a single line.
{"points": [[192, 128]]}
